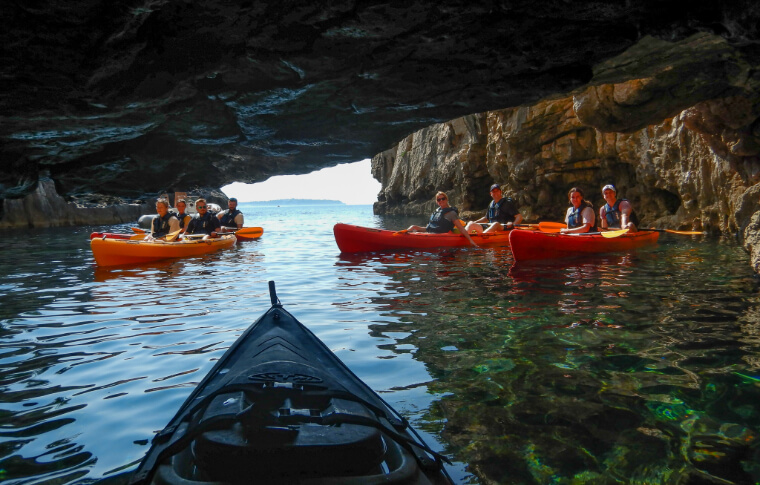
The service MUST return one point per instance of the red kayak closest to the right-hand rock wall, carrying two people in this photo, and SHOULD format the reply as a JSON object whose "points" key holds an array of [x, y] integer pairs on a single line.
{"points": [[536, 245]]}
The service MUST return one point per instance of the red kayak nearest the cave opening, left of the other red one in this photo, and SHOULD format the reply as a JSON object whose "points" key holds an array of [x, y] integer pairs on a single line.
{"points": [[356, 239]]}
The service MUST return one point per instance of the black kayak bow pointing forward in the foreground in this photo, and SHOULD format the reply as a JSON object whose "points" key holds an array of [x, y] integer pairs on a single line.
{"points": [[280, 407]]}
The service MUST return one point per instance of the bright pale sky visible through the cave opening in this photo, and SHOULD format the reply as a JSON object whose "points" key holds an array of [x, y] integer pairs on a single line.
{"points": [[350, 183]]}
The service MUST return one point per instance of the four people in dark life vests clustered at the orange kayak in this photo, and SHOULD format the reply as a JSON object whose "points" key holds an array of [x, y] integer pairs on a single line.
{"points": [[203, 223]]}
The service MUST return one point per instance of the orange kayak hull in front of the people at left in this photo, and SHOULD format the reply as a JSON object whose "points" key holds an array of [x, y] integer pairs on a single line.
{"points": [[115, 252]]}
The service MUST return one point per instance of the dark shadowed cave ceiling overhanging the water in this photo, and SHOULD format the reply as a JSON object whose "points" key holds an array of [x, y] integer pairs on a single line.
{"points": [[134, 99]]}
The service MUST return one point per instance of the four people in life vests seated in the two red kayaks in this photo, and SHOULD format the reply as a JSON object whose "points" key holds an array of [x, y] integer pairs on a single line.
{"points": [[503, 214]]}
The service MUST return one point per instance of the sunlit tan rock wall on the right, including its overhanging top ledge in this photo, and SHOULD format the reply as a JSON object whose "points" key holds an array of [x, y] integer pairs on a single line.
{"points": [[683, 148]]}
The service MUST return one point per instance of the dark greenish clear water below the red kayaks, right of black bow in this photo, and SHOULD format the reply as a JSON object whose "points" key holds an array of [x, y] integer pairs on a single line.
{"points": [[638, 367]]}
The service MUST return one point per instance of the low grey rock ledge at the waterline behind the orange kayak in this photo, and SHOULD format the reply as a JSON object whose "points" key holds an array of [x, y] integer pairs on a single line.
{"points": [[45, 208]]}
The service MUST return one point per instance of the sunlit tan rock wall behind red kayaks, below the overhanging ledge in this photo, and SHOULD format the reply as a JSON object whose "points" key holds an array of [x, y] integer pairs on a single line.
{"points": [[698, 170]]}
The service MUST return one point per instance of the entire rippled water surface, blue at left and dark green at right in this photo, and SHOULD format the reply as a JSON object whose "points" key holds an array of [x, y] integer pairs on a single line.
{"points": [[639, 367]]}
